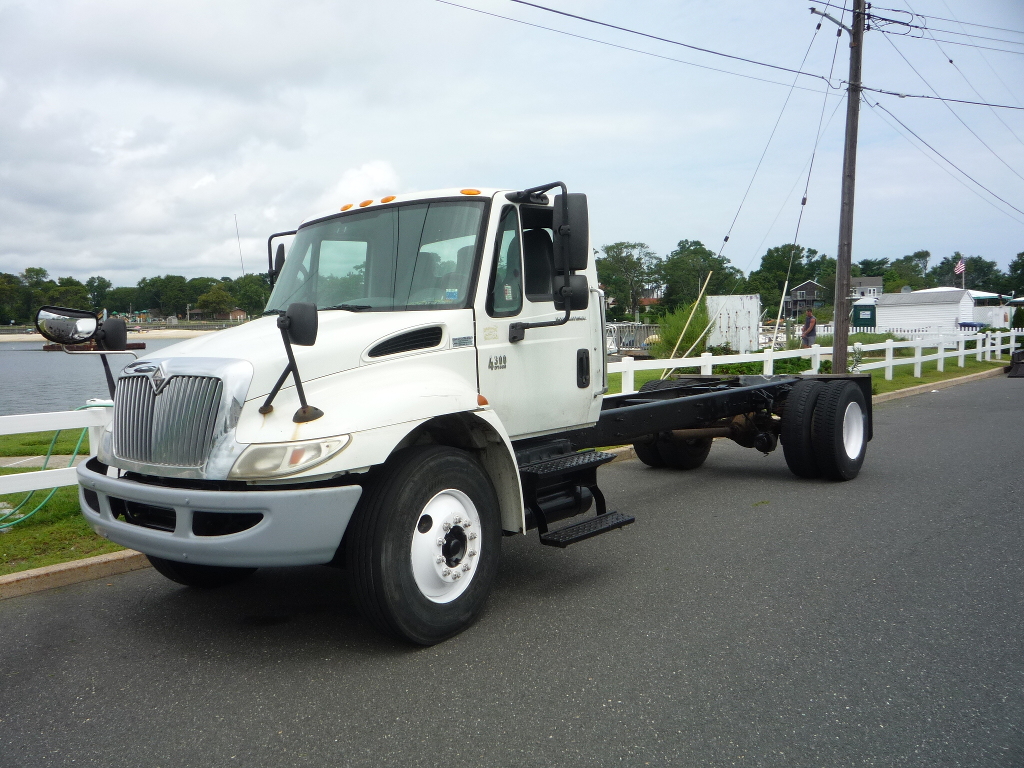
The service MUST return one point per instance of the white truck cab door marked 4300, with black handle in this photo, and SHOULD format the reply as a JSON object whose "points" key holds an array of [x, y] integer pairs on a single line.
{"points": [[546, 382]]}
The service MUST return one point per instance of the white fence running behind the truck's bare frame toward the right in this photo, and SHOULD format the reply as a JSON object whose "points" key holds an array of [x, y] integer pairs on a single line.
{"points": [[947, 346]]}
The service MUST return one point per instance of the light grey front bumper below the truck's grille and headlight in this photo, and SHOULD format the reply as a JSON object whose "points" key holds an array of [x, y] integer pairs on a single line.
{"points": [[298, 527]]}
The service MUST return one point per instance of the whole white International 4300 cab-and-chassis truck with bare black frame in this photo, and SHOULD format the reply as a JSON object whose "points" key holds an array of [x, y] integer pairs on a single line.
{"points": [[430, 376]]}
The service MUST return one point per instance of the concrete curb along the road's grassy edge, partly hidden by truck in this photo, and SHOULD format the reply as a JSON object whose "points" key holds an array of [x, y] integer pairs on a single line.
{"points": [[37, 580]]}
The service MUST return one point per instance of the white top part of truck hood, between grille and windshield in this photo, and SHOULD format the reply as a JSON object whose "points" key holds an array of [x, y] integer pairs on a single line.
{"points": [[344, 343]]}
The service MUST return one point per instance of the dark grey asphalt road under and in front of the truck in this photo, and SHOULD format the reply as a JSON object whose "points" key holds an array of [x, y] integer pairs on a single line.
{"points": [[746, 619]]}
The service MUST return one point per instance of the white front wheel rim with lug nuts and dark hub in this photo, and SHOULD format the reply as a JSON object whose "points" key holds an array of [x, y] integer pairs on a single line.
{"points": [[446, 546]]}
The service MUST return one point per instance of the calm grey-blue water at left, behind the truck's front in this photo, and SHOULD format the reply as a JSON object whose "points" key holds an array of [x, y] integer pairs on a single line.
{"points": [[36, 382]]}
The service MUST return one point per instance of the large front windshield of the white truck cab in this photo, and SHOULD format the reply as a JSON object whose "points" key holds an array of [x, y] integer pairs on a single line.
{"points": [[417, 257]]}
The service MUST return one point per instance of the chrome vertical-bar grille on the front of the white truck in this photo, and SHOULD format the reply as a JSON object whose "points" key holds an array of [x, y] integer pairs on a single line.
{"points": [[175, 428]]}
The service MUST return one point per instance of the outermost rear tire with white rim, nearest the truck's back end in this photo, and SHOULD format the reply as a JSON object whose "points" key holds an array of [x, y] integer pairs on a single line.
{"points": [[839, 431]]}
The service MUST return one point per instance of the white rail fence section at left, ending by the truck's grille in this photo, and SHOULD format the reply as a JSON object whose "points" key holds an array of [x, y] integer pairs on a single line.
{"points": [[96, 417]]}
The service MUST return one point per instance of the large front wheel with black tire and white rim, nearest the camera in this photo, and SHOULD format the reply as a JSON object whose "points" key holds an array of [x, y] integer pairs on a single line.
{"points": [[423, 546]]}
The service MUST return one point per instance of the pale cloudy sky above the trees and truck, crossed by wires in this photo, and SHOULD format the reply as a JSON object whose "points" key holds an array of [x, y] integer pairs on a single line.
{"points": [[132, 135]]}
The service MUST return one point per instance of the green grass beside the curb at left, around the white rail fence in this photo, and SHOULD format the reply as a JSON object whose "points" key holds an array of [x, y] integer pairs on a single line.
{"points": [[57, 534]]}
